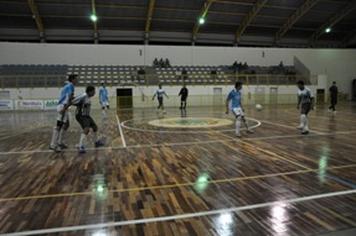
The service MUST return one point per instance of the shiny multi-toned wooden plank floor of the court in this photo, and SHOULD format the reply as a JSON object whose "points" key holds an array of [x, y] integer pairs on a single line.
{"points": [[155, 181]]}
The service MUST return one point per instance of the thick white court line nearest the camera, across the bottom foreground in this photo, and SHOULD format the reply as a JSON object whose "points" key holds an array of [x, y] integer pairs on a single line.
{"points": [[180, 216]]}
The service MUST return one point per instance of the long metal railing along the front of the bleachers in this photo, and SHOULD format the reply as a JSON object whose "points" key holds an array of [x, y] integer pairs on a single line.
{"points": [[44, 81]]}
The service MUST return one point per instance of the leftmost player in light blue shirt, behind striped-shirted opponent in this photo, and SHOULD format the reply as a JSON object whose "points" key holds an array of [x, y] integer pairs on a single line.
{"points": [[65, 99]]}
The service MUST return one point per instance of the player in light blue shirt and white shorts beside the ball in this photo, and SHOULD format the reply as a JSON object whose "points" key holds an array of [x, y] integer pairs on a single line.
{"points": [[233, 103]]}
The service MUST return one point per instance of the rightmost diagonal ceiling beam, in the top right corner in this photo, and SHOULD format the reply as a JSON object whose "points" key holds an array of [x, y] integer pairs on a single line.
{"points": [[351, 6]]}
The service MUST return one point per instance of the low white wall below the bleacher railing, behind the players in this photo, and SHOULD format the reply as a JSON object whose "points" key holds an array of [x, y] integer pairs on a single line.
{"points": [[198, 95]]}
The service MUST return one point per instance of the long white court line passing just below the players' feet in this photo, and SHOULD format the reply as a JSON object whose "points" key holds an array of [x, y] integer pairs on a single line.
{"points": [[184, 143]]}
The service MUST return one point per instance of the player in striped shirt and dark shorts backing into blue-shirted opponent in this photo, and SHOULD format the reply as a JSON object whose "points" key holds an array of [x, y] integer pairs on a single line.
{"points": [[82, 115]]}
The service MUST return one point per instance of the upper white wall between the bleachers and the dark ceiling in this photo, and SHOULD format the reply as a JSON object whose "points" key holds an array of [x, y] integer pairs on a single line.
{"points": [[336, 64]]}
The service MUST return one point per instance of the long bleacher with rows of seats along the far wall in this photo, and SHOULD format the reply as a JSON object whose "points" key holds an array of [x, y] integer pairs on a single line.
{"points": [[23, 76]]}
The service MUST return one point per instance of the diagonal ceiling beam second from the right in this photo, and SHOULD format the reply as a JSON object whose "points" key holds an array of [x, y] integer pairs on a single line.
{"points": [[292, 19]]}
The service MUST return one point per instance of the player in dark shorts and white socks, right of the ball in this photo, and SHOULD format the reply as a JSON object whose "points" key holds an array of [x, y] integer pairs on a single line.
{"points": [[305, 104]]}
